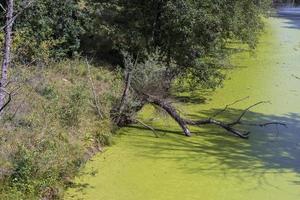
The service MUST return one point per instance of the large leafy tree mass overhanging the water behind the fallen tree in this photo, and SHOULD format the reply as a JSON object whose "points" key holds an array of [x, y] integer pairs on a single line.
{"points": [[190, 34]]}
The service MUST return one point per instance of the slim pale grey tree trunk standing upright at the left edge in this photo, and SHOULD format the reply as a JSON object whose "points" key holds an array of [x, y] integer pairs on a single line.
{"points": [[6, 50]]}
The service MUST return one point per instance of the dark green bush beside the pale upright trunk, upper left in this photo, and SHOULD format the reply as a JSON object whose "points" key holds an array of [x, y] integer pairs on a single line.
{"points": [[48, 29]]}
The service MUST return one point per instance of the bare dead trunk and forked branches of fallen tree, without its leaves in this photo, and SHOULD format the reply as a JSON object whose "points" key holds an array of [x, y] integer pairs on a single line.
{"points": [[146, 94]]}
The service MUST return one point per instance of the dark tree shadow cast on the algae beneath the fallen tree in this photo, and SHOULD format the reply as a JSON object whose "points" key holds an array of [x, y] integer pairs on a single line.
{"points": [[273, 149]]}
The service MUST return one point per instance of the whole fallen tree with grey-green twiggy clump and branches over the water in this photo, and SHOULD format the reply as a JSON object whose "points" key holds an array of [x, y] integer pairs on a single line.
{"points": [[145, 84]]}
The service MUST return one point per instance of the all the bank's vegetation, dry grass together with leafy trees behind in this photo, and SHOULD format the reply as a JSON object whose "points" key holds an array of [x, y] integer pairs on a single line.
{"points": [[63, 110]]}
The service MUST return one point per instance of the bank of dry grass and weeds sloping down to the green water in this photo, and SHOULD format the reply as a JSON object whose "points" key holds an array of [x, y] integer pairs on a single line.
{"points": [[53, 125]]}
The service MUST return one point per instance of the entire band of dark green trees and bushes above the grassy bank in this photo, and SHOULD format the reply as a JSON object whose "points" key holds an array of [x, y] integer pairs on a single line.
{"points": [[191, 36]]}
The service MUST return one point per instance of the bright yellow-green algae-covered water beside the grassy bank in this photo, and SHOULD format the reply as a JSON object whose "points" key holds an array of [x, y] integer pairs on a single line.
{"points": [[213, 165]]}
